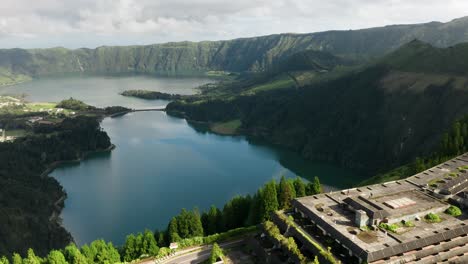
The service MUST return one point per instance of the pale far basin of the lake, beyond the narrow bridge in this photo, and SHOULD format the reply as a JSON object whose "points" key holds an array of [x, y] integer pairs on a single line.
{"points": [[102, 91]]}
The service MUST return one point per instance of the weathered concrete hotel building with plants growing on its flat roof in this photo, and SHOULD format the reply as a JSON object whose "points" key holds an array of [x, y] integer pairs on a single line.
{"points": [[353, 217]]}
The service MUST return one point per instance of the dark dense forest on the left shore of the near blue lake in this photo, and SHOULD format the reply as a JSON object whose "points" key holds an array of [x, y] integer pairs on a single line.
{"points": [[31, 201]]}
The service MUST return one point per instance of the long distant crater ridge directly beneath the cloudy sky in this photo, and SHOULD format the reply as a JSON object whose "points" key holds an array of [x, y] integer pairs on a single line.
{"points": [[248, 54]]}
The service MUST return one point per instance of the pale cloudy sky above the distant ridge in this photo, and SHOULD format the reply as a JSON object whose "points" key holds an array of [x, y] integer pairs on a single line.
{"points": [[92, 23]]}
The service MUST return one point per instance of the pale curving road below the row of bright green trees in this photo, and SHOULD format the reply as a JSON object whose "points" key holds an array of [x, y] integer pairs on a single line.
{"points": [[195, 255]]}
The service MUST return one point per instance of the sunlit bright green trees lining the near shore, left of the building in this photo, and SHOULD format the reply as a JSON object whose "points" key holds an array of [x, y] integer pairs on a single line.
{"points": [[188, 228]]}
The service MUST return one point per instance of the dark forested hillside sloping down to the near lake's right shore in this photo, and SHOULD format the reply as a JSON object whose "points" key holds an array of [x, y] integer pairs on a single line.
{"points": [[371, 118]]}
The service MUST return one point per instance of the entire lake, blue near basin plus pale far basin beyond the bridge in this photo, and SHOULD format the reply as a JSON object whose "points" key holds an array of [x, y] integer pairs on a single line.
{"points": [[161, 163]]}
